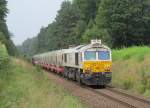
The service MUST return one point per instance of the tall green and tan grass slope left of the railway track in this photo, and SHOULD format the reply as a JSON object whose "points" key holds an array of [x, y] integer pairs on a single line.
{"points": [[24, 86]]}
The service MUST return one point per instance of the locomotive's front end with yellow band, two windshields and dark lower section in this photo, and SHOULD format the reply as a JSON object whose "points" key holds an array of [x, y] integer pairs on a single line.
{"points": [[97, 64]]}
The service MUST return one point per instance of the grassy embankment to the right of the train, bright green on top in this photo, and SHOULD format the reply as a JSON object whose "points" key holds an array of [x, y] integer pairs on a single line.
{"points": [[131, 69]]}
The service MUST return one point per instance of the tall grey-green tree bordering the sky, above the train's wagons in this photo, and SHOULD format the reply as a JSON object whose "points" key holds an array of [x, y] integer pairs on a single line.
{"points": [[66, 21]]}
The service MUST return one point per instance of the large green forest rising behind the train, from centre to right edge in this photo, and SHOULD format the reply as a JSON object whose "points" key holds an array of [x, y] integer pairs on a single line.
{"points": [[118, 23]]}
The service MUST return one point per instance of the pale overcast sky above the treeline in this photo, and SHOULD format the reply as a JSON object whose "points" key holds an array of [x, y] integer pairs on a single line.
{"points": [[26, 17]]}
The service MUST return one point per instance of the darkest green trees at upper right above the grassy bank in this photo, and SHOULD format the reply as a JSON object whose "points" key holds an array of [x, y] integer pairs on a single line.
{"points": [[126, 21]]}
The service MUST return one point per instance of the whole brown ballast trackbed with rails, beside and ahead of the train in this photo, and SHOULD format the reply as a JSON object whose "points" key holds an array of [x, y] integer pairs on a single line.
{"points": [[101, 98]]}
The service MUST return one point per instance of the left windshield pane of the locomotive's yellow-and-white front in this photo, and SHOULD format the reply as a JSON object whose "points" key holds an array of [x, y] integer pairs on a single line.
{"points": [[90, 55]]}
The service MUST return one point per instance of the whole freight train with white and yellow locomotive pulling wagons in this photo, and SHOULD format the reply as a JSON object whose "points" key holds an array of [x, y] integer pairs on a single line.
{"points": [[89, 64]]}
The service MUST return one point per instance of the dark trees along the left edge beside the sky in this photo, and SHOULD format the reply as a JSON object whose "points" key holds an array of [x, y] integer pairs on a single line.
{"points": [[5, 35]]}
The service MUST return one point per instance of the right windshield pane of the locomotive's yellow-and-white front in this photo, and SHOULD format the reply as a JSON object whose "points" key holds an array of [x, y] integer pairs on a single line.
{"points": [[103, 55]]}
